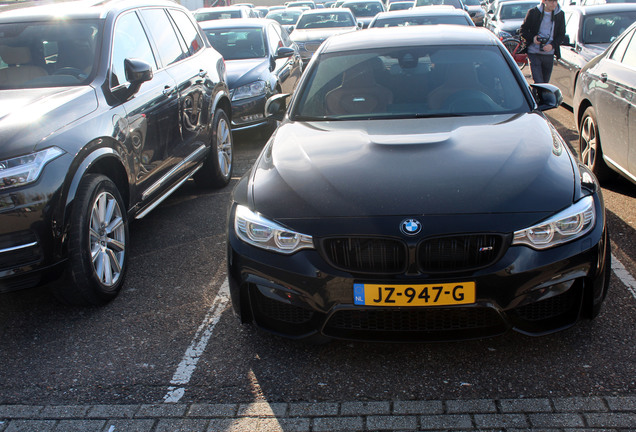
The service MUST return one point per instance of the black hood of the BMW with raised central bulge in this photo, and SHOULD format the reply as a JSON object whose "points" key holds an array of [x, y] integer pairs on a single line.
{"points": [[469, 165]]}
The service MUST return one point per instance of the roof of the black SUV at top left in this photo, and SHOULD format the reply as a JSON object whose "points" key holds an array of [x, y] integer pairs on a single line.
{"points": [[77, 9]]}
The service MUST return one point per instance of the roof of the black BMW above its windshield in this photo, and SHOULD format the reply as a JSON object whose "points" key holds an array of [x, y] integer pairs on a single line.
{"points": [[440, 34]]}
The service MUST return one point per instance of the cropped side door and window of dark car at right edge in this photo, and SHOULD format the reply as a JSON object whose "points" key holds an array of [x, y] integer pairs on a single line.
{"points": [[616, 75]]}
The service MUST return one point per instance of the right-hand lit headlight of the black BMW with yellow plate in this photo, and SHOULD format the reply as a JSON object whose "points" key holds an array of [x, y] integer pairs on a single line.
{"points": [[570, 224]]}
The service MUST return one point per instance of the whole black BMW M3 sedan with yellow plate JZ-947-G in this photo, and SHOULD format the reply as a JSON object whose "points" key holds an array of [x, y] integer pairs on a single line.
{"points": [[415, 191]]}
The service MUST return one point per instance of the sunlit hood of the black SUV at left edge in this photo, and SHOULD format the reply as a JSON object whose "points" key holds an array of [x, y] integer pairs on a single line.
{"points": [[29, 116]]}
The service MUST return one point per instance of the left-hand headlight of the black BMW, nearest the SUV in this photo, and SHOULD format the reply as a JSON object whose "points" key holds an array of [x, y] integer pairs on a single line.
{"points": [[254, 229]]}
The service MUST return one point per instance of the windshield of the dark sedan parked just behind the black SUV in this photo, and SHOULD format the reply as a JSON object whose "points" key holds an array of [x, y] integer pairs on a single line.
{"points": [[237, 43]]}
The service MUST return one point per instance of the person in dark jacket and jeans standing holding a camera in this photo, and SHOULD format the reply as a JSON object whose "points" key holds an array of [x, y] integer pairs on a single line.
{"points": [[543, 31]]}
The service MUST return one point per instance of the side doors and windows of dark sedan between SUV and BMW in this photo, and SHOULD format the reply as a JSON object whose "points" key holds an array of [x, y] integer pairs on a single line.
{"points": [[288, 69]]}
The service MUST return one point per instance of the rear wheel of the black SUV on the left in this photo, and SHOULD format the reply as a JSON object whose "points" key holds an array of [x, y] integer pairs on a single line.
{"points": [[217, 168]]}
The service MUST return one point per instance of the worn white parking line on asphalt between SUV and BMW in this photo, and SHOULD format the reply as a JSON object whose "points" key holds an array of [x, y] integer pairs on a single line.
{"points": [[200, 341]]}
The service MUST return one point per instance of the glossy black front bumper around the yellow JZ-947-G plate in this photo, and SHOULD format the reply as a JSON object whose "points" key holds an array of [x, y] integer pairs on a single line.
{"points": [[531, 292]]}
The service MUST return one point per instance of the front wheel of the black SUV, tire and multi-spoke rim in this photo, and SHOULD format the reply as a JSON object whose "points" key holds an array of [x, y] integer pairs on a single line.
{"points": [[98, 240]]}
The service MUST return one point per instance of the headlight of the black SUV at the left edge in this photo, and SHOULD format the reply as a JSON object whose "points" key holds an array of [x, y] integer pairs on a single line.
{"points": [[26, 169]]}
